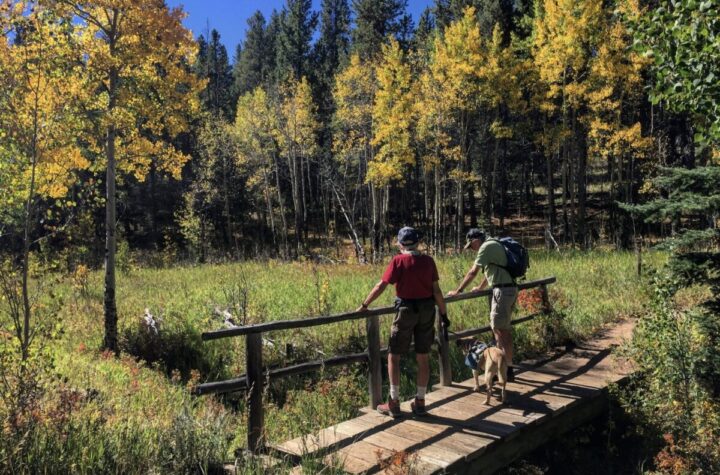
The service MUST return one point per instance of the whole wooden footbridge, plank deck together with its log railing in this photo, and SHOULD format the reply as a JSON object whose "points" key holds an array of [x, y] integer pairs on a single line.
{"points": [[461, 434]]}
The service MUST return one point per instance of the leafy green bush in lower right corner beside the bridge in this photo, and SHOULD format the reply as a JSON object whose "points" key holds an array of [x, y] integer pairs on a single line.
{"points": [[675, 391]]}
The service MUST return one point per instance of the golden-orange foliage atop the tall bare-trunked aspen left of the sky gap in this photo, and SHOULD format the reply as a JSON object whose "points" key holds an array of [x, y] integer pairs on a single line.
{"points": [[136, 55]]}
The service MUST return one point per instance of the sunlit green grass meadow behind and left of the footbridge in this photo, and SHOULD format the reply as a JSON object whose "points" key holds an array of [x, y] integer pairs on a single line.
{"points": [[135, 414]]}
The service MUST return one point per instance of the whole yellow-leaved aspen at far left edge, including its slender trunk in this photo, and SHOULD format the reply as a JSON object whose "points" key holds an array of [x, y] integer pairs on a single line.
{"points": [[39, 152]]}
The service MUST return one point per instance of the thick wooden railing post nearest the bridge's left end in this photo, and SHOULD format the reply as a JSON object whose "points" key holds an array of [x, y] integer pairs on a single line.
{"points": [[256, 413]]}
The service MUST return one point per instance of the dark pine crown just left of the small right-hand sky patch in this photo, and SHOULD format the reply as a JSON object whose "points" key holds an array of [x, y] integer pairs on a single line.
{"points": [[374, 21]]}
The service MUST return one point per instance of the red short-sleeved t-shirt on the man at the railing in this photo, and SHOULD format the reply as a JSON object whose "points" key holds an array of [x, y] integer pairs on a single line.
{"points": [[413, 276]]}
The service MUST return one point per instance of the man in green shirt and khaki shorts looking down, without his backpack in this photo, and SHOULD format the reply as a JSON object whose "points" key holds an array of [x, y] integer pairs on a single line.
{"points": [[492, 261]]}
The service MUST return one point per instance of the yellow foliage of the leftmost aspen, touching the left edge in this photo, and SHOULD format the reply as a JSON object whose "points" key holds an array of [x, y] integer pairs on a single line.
{"points": [[39, 122]]}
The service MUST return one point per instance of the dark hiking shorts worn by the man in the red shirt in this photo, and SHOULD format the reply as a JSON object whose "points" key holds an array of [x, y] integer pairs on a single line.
{"points": [[414, 319]]}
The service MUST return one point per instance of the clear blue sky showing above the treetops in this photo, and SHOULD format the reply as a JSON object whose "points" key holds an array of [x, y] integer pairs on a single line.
{"points": [[229, 17]]}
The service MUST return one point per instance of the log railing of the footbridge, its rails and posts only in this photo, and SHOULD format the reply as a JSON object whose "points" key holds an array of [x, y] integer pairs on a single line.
{"points": [[255, 377]]}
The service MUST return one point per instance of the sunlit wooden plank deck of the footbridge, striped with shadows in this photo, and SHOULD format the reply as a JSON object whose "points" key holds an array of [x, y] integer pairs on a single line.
{"points": [[461, 428]]}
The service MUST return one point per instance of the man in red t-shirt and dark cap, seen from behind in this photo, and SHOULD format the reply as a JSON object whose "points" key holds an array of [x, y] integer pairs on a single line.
{"points": [[415, 278]]}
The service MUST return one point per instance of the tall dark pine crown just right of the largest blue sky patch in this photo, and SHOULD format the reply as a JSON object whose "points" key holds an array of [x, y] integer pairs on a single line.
{"points": [[297, 25]]}
